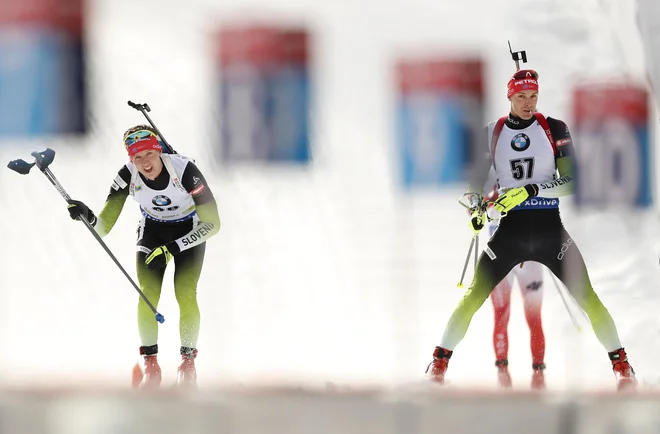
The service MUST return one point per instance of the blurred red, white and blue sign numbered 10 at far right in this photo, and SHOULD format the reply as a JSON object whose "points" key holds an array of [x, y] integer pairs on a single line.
{"points": [[613, 145]]}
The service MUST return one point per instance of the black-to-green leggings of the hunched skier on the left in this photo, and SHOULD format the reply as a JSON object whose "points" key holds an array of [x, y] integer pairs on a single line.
{"points": [[187, 269]]}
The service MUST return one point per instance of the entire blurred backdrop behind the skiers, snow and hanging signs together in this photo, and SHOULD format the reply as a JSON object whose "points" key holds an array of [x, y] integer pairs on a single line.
{"points": [[337, 138]]}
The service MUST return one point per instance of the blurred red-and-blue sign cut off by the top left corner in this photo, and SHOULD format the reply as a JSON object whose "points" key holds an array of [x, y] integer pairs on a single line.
{"points": [[42, 67]]}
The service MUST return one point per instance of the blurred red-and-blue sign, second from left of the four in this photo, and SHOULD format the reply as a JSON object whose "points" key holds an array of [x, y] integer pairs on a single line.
{"points": [[264, 94]]}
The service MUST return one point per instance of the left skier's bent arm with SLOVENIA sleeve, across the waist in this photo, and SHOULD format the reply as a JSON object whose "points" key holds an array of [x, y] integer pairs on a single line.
{"points": [[206, 207]]}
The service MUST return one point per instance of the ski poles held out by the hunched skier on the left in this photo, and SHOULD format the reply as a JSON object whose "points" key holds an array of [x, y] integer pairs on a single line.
{"points": [[42, 160]]}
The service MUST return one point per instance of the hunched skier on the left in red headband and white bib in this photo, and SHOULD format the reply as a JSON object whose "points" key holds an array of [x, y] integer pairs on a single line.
{"points": [[179, 214]]}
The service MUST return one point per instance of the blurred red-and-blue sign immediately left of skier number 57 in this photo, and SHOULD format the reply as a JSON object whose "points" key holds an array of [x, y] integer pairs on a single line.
{"points": [[440, 119]]}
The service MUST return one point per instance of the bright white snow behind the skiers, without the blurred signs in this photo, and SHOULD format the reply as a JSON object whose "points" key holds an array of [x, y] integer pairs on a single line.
{"points": [[325, 274]]}
